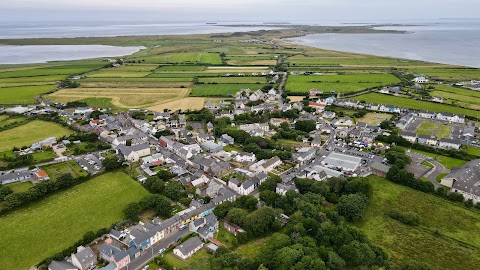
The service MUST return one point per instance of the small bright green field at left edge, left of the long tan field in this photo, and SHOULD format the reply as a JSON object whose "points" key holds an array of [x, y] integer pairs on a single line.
{"points": [[22, 94]]}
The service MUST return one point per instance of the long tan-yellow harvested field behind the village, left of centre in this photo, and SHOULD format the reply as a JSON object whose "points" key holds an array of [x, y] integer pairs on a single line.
{"points": [[123, 97]]}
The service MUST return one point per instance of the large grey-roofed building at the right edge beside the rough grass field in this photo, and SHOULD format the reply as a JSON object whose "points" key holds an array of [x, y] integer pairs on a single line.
{"points": [[465, 180]]}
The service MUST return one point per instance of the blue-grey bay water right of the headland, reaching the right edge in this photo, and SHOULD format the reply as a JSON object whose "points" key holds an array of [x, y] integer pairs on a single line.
{"points": [[454, 42]]}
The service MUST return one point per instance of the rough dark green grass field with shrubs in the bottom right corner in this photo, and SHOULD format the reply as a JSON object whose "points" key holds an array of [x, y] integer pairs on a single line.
{"points": [[457, 248]]}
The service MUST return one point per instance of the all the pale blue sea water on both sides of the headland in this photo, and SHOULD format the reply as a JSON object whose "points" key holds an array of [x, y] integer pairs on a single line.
{"points": [[449, 41]]}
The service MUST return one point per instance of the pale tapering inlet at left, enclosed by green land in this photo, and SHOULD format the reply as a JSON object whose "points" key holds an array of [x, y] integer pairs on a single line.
{"points": [[44, 53]]}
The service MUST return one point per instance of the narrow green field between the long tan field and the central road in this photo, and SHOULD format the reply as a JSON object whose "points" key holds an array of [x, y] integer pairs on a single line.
{"points": [[222, 89]]}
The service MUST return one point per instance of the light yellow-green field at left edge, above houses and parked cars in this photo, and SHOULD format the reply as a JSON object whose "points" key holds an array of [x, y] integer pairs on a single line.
{"points": [[24, 135]]}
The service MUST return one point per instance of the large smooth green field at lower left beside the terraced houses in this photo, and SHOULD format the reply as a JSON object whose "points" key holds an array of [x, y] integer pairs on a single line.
{"points": [[44, 228]]}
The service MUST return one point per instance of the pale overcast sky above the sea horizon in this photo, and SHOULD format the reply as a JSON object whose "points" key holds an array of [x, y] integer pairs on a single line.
{"points": [[236, 10]]}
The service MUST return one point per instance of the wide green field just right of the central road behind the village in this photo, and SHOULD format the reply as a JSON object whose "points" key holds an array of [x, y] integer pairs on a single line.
{"points": [[339, 83]]}
